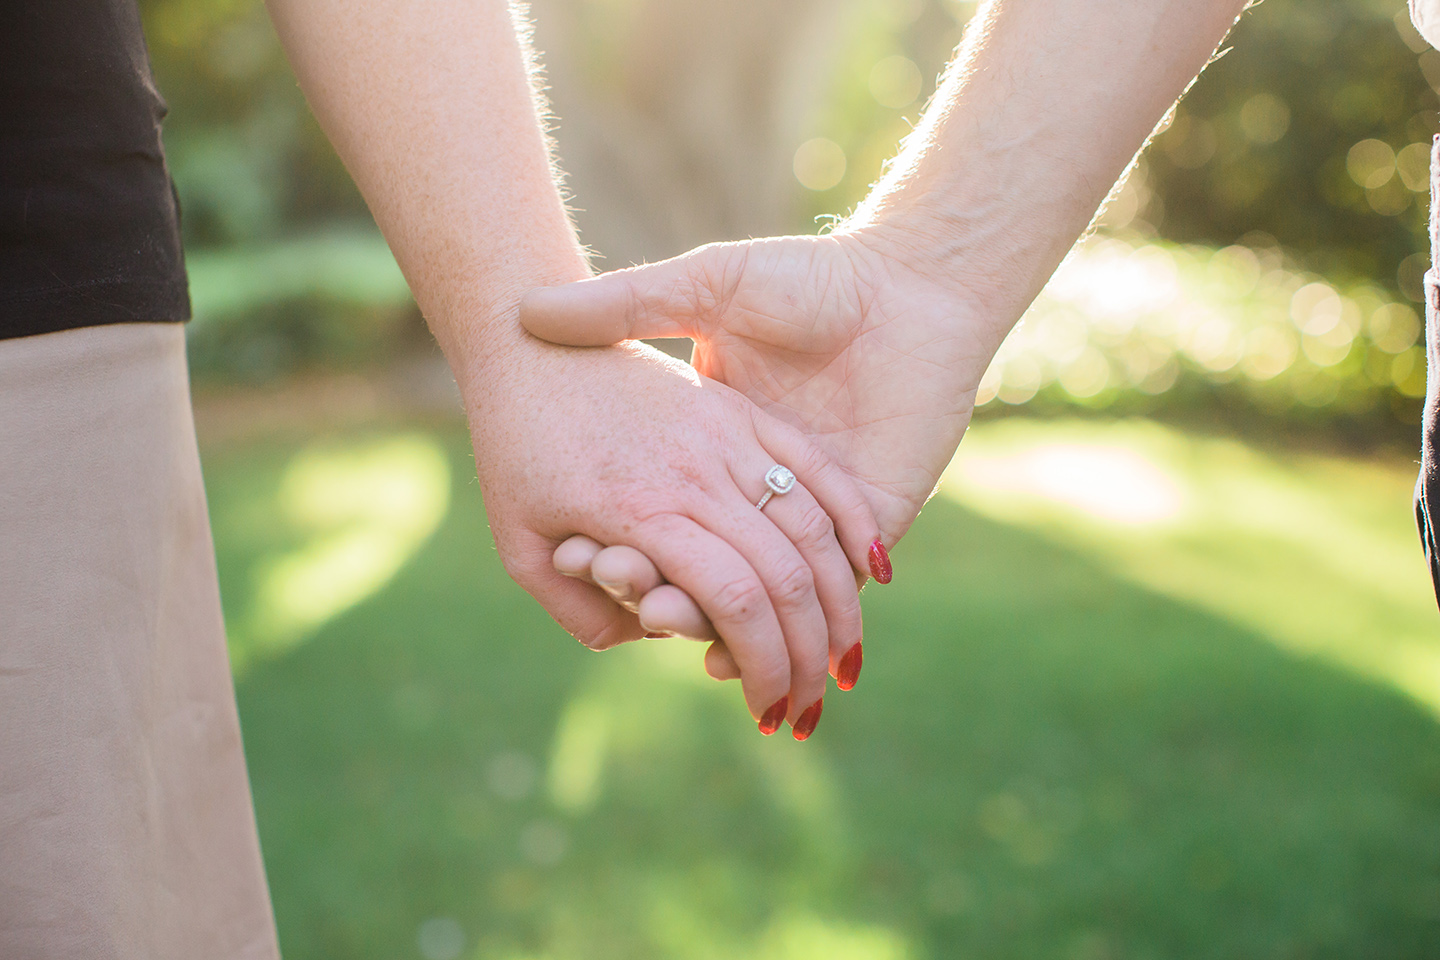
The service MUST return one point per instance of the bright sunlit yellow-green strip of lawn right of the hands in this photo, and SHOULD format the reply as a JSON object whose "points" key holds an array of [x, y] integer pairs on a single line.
{"points": [[1315, 555]]}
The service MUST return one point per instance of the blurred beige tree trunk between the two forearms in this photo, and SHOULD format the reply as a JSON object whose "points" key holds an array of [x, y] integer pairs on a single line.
{"points": [[679, 119]]}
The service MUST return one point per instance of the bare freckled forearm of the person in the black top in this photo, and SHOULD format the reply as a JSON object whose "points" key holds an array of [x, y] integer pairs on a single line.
{"points": [[430, 106]]}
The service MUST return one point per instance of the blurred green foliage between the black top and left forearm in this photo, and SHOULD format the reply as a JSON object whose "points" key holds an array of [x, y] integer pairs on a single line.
{"points": [[287, 270]]}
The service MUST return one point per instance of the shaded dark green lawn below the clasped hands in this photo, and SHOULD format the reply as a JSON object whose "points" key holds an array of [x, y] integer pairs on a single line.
{"points": [[1039, 762]]}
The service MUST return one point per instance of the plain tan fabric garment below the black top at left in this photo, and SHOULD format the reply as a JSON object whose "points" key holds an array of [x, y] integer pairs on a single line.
{"points": [[126, 823]]}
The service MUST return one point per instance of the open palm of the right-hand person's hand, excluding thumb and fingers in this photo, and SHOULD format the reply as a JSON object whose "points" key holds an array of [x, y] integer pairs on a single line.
{"points": [[879, 369]]}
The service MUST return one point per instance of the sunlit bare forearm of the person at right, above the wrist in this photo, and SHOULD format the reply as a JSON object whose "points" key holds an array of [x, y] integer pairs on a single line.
{"points": [[1045, 106]]}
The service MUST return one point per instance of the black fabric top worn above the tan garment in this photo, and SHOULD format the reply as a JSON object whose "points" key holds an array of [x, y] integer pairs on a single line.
{"points": [[90, 227]]}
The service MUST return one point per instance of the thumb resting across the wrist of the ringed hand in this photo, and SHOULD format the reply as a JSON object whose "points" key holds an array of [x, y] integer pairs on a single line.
{"points": [[634, 304]]}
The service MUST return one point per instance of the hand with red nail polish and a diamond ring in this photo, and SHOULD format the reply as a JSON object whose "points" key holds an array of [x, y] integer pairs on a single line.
{"points": [[627, 445]]}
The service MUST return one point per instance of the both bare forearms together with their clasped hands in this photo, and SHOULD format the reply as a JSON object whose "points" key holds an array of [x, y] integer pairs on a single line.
{"points": [[852, 359]]}
